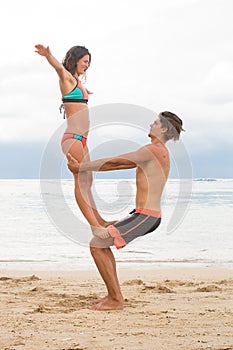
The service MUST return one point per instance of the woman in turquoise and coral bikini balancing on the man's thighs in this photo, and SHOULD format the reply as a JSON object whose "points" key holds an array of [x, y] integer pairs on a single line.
{"points": [[75, 98]]}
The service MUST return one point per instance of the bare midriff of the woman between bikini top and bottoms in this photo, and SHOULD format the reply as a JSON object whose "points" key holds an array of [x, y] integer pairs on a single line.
{"points": [[77, 118]]}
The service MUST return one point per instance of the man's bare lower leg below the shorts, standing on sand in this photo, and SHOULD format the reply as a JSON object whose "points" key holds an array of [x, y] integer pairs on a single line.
{"points": [[106, 265]]}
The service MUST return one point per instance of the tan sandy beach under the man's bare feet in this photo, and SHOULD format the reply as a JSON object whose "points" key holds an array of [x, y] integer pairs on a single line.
{"points": [[170, 308]]}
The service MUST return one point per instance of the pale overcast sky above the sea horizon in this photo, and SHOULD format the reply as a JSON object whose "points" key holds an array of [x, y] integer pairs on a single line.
{"points": [[172, 55]]}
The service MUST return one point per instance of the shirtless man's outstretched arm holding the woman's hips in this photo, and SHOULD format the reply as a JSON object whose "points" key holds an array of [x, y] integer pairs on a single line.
{"points": [[124, 161]]}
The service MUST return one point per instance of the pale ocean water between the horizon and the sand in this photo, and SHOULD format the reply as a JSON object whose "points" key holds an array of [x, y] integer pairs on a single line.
{"points": [[41, 227]]}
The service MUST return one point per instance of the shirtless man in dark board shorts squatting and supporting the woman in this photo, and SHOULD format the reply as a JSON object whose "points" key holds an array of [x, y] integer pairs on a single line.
{"points": [[152, 165]]}
